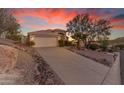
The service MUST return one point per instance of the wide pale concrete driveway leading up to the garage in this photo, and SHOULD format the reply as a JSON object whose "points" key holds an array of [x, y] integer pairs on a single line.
{"points": [[73, 68]]}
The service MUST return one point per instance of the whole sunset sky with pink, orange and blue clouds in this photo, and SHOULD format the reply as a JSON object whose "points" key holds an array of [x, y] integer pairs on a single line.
{"points": [[34, 19]]}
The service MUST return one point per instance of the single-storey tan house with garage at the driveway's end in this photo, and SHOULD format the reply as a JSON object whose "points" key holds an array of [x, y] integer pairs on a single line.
{"points": [[46, 38]]}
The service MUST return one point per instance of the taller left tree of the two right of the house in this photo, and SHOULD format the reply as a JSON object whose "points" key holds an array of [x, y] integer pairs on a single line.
{"points": [[78, 26]]}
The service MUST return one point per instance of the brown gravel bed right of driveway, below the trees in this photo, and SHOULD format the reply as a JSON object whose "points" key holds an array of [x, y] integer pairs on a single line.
{"points": [[101, 57]]}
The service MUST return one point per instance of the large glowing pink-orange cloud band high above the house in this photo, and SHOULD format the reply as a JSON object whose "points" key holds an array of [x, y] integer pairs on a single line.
{"points": [[53, 16]]}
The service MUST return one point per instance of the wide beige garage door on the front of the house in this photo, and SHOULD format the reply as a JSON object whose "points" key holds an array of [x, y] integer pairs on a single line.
{"points": [[45, 42]]}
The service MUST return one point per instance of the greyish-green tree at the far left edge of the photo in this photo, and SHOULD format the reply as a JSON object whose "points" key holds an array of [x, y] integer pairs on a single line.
{"points": [[7, 22]]}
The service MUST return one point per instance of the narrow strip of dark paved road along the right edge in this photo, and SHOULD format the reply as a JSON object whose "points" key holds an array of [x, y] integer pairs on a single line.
{"points": [[122, 66]]}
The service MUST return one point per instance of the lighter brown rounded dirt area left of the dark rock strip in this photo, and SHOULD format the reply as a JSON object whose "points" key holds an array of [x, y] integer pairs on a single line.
{"points": [[16, 66]]}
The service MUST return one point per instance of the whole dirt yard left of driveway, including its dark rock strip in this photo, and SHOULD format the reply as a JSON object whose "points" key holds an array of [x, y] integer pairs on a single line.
{"points": [[24, 66]]}
